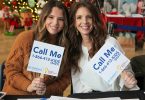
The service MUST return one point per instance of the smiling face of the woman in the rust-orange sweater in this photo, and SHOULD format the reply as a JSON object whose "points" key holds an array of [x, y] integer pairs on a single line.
{"points": [[55, 21]]}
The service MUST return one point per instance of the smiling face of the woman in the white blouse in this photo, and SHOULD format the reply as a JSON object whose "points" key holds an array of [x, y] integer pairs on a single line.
{"points": [[83, 21]]}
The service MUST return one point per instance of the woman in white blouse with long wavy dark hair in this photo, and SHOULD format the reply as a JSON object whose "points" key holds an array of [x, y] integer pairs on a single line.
{"points": [[87, 35]]}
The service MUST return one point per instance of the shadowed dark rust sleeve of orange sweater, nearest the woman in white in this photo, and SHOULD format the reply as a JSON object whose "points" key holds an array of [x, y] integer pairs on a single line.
{"points": [[59, 85]]}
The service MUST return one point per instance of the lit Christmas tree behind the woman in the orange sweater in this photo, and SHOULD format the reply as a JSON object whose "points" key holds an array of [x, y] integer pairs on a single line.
{"points": [[19, 5]]}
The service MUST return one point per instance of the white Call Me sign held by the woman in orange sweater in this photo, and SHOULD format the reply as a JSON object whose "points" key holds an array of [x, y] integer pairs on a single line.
{"points": [[45, 58]]}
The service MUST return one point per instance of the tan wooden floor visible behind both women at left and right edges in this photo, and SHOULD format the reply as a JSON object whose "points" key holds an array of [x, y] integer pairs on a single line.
{"points": [[7, 41]]}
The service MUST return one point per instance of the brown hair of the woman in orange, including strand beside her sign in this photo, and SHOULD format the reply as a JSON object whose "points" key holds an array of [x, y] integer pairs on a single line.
{"points": [[41, 33]]}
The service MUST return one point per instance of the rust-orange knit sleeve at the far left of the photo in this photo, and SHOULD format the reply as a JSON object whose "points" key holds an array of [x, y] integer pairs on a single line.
{"points": [[14, 66]]}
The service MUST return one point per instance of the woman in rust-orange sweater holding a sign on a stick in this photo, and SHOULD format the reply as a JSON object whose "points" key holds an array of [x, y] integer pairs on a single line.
{"points": [[51, 28]]}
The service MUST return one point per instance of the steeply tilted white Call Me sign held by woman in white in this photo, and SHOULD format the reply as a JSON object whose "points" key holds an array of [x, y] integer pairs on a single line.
{"points": [[108, 63]]}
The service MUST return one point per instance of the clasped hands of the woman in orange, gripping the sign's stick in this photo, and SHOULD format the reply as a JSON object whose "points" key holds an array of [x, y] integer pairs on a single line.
{"points": [[35, 85]]}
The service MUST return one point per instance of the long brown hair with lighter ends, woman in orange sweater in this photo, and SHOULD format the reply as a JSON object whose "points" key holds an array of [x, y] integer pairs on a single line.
{"points": [[41, 32]]}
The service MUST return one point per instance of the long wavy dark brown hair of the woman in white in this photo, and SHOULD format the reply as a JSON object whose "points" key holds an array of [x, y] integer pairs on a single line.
{"points": [[98, 34]]}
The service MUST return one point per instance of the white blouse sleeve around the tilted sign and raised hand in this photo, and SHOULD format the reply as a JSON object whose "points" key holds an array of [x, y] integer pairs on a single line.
{"points": [[128, 68]]}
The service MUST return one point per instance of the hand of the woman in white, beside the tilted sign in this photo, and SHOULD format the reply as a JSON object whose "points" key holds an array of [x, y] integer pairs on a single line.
{"points": [[129, 79]]}
